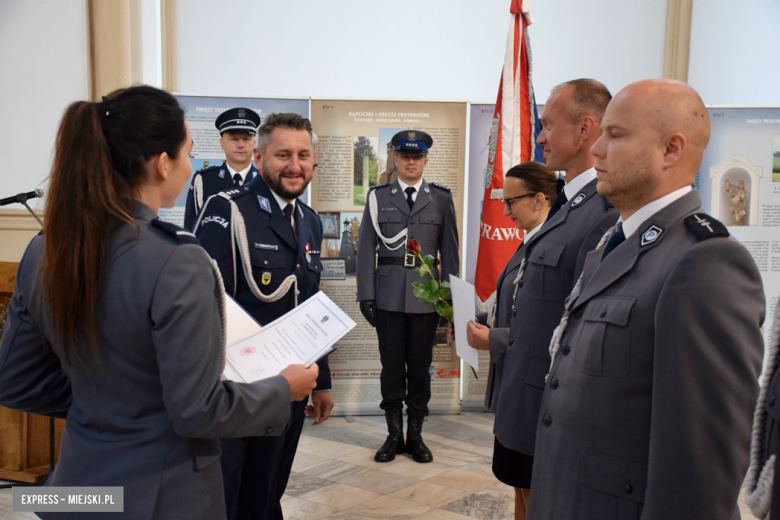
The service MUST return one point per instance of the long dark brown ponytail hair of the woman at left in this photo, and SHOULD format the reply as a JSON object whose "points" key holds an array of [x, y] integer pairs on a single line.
{"points": [[99, 165]]}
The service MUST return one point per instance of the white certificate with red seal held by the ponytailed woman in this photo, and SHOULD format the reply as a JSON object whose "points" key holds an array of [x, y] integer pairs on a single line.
{"points": [[301, 336]]}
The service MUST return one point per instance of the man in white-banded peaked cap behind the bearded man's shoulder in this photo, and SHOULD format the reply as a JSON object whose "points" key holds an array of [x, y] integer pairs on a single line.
{"points": [[237, 128]]}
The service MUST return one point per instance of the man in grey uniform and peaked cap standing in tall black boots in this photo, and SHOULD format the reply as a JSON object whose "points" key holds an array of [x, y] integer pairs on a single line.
{"points": [[409, 209]]}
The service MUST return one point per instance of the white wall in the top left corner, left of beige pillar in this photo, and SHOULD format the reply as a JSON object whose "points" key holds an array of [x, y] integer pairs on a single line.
{"points": [[44, 65]]}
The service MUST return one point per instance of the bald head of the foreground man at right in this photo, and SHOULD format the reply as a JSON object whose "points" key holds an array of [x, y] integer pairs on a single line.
{"points": [[654, 133]]}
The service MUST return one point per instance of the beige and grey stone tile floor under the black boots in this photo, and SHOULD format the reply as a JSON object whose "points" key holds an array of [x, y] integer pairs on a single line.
{"points": [[335, 477]]}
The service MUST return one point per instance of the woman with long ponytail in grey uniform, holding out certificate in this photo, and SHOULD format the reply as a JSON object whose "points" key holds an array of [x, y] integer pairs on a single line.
{"points": [[115, 322]]}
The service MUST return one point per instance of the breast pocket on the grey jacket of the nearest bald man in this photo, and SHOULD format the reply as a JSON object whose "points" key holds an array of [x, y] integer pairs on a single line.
{"points": [[603, 344]]}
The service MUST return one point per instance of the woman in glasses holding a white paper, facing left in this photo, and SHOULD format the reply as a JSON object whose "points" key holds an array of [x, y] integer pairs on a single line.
{"points": [[529, 190]]}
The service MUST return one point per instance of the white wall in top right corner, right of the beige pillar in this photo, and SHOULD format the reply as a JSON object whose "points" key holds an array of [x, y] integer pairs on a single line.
{"points": [[734, 52]]}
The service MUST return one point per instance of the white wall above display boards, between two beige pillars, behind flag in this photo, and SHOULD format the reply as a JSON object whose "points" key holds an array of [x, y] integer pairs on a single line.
{"points": [[442, 49]]}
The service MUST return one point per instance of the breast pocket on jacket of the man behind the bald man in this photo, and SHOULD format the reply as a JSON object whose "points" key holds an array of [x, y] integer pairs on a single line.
{"points": [[543, 279]]}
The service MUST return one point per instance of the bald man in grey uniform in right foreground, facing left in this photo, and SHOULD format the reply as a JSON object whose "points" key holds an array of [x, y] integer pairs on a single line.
{"points": [[647, 408]]}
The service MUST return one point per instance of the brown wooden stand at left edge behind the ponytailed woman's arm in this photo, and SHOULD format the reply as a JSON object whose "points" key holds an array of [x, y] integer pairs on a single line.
{"points": [[26, 440]]}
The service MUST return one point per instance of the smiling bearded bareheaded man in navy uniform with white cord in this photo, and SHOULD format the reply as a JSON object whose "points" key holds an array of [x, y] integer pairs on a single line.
{"points": [[283, 237]]}
